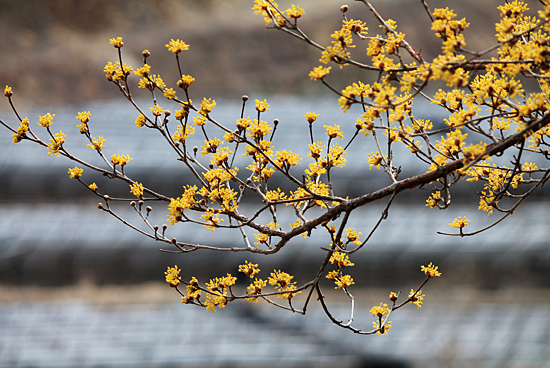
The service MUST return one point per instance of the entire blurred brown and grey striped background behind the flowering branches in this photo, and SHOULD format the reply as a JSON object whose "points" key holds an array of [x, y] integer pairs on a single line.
{"points": [[80, 289]]}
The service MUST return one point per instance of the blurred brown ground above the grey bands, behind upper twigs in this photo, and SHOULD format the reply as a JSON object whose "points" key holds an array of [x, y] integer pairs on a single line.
{"points": [[53, 52]]}
